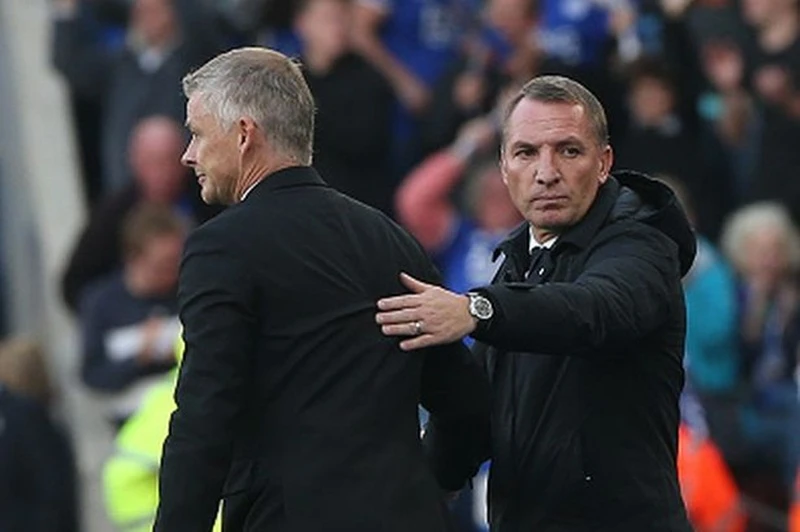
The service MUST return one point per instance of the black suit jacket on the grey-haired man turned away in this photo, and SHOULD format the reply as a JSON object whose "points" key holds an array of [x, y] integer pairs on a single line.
{"points": [[292, 406]]}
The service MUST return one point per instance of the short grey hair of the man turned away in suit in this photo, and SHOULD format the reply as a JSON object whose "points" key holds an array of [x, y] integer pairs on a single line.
{"points": [[265, 85]]}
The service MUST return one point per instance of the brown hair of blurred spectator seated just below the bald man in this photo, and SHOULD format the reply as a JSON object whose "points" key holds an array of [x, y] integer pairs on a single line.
{"points": [[148, 221]]}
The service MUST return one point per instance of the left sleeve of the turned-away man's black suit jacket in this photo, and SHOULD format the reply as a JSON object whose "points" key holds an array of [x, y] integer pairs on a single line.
{"points": [[217, 309]]}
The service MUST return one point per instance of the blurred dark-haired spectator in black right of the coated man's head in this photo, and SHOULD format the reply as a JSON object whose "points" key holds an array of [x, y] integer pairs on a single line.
{"points": [[660, 141]]}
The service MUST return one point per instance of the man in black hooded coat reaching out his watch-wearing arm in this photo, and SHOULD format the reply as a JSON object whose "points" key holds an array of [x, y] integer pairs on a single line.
{"points": [[581, 333]]}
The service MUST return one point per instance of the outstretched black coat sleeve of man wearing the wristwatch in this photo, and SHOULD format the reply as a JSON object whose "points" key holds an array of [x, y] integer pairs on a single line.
{"points": [[627, 289]]}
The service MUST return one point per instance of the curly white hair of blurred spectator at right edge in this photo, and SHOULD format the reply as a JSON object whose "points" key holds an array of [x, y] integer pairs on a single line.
{"points": [[748, 220]]}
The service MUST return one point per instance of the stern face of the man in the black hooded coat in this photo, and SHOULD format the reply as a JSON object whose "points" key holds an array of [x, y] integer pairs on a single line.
{"points": [[552, 164]]}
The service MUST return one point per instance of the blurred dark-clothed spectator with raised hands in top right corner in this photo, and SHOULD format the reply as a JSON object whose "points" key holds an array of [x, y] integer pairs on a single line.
{"points": [[759, 80]]}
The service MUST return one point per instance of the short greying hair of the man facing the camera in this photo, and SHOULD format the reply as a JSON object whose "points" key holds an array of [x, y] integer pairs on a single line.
{"points": [[560, 89]]}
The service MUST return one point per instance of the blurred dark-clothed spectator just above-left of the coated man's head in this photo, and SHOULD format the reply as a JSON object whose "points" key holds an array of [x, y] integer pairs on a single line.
{"points": [[500, 51]]}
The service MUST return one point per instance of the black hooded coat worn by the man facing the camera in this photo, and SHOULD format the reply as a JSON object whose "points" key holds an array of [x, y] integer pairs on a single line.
{"points": [[585, 364]]}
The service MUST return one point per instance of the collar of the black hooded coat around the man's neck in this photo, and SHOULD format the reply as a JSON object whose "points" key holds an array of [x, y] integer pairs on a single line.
{"points": [[579, 235]]}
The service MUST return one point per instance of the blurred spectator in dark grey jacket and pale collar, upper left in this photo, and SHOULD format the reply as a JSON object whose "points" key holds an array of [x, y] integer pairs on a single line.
{"points": [[166, 38]]}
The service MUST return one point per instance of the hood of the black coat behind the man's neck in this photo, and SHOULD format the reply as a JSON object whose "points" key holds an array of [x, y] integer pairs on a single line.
{"points": [[653, 203]]}
